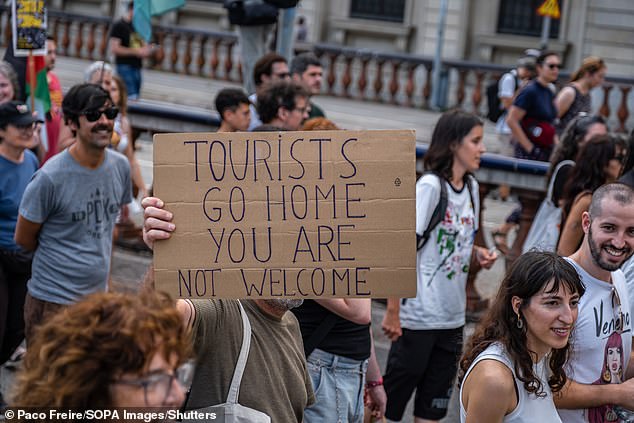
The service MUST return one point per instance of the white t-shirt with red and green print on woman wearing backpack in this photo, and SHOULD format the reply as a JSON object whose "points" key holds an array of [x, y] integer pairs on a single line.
{"points": [[443, 263]]}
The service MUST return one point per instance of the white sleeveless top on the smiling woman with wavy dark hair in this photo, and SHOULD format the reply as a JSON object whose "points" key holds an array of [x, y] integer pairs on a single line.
{"points": [[530, 407]]}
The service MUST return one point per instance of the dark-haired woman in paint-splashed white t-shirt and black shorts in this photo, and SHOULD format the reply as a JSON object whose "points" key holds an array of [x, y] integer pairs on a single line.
{"points": [[426, 331]]}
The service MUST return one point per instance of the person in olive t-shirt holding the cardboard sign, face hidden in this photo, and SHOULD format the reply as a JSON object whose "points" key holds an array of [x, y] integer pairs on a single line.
{"points": [[275, 382]]}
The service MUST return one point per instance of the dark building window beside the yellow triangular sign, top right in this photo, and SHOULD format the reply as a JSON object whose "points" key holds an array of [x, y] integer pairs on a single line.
{"points": [[521, 18]]}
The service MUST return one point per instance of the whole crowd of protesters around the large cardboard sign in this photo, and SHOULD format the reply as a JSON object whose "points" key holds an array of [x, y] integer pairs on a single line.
{"points": [[555, 343]]}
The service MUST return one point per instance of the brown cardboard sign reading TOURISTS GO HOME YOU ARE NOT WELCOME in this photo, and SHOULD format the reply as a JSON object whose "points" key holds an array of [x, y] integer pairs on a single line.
{"points": [[287, 214]]}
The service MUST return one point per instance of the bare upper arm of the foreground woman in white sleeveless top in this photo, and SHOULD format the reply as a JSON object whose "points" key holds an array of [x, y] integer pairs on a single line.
{"points": [[488, 380]]}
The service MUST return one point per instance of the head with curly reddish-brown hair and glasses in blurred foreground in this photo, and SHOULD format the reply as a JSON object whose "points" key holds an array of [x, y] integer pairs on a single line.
{"points": [[109, 350]]}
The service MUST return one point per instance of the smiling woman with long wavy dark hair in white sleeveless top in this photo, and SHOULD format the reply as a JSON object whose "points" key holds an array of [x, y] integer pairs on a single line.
{"points": [[515, 359]]}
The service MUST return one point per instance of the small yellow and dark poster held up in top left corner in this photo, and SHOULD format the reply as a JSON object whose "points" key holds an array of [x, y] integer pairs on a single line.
{"points": [[29, 21]]}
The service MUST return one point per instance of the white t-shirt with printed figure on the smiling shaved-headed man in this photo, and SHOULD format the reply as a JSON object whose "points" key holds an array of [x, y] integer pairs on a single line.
{"points": [[600, 355]]}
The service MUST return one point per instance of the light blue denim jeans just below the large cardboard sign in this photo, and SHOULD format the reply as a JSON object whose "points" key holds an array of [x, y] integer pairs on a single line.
{"points": [[338, 383]]}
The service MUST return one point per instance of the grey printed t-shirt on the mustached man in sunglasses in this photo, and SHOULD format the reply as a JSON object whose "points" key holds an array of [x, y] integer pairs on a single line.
{"points": [[77, 208]]}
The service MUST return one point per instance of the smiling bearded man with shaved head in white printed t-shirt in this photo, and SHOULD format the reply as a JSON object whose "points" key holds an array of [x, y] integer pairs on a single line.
{"points": [[592, 393]]}
